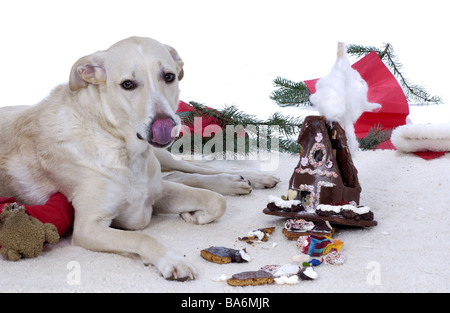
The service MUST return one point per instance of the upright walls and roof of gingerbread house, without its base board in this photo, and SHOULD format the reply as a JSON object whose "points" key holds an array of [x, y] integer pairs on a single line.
{"points": [[325, 173]]}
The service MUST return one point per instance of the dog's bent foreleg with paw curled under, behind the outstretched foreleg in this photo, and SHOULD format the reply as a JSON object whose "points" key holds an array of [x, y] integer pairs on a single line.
{"points": [[199, 206]]}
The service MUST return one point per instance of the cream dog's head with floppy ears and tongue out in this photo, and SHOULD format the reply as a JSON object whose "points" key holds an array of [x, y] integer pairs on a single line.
{"points": [[138, 80]]}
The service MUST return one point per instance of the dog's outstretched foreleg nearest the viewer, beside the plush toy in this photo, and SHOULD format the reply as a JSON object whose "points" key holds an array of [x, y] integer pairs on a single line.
{"points": [[92, 231]]}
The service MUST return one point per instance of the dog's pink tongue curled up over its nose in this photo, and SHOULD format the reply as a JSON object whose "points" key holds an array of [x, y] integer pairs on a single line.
{"points": [[161, 132]]}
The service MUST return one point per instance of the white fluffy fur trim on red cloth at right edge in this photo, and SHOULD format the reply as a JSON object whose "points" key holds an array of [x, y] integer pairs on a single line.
{"points": [[422, 137]]}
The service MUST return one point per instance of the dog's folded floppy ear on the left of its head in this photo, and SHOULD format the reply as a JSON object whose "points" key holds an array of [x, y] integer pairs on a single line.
{"points": [[88, 70]]}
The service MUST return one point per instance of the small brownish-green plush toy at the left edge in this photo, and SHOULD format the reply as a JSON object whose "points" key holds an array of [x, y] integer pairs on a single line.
{"points": [[22, 235]]}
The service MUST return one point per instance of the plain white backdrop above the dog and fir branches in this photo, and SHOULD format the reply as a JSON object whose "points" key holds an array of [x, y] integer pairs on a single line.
{"points": [[232, 49]]}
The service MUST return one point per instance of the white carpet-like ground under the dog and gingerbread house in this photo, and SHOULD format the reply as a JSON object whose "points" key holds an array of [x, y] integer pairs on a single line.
{"points": [[407, 252]]}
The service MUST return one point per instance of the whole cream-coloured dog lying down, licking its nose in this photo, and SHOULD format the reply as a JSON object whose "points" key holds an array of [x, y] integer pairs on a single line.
{"points": [[97, 139]]}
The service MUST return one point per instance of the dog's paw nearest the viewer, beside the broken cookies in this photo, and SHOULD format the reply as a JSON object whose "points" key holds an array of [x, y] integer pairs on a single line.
{"points": [[173, 267]]}
